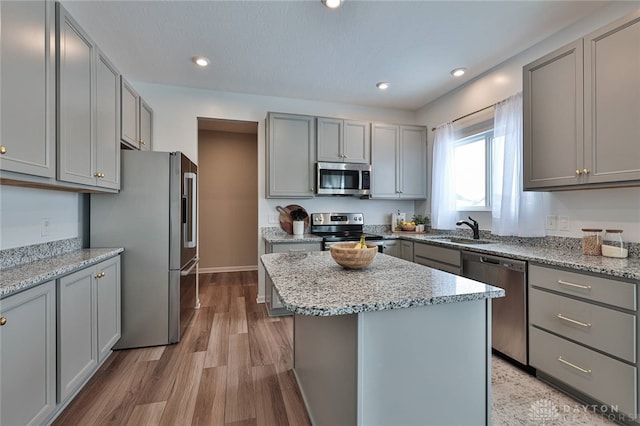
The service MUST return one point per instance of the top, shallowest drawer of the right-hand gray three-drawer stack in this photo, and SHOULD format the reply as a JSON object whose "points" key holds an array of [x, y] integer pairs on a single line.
{"points": [[599, 289]]}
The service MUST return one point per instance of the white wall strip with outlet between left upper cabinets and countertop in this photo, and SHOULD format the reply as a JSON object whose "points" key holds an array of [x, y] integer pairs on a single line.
{"points": [[22, 210]]}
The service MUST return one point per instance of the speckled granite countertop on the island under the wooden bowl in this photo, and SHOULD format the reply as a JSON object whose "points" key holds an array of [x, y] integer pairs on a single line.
{"points": [[313, 284]]}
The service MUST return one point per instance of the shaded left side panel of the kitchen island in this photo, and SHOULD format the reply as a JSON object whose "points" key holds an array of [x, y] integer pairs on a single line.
{"points": [[325, 357]]}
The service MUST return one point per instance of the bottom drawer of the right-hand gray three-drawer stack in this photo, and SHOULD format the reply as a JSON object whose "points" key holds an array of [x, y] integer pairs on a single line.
{"points": [[605, 379]]}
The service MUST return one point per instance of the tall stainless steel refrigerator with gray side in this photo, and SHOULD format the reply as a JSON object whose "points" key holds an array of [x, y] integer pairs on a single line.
{"points": [[154, 218]]}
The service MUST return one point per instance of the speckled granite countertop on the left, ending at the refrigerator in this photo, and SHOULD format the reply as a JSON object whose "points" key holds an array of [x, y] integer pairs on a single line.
{"points": [[28, 275]]}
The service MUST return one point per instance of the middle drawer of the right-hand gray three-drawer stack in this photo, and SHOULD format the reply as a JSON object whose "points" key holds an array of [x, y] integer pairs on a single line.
{"points": [[605, 329]]}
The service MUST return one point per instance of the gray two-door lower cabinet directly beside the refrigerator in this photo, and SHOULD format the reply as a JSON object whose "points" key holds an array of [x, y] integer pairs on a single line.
{"points": [[88, 323]]}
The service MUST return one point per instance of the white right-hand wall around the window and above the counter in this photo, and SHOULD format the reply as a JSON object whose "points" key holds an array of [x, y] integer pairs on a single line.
{"points": [[602, 208]]}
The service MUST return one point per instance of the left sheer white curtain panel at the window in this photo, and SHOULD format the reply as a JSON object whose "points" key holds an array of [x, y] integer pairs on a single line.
{"points": [[443, 189]]}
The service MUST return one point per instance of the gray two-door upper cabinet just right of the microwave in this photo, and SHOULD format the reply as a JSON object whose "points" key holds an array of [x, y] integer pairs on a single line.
{"points": [[399, 162]]}
